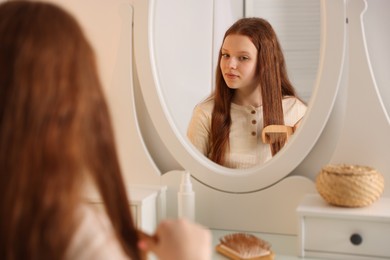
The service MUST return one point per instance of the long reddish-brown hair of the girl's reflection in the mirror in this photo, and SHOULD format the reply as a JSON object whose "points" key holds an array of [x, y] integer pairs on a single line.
{"points": [[273, 81]]}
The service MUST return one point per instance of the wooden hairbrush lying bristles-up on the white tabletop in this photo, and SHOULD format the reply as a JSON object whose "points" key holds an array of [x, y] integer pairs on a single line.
{"points": [[243, 246]]}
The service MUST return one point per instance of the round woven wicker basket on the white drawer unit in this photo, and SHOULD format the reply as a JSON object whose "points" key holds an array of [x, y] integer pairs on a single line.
{"points": [[349, 185]]}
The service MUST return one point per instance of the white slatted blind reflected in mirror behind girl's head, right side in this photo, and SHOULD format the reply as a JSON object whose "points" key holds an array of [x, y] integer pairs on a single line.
{"points": [[297, 24]]}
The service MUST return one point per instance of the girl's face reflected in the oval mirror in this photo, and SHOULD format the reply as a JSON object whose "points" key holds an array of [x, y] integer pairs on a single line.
{"points": [[238, 62]]}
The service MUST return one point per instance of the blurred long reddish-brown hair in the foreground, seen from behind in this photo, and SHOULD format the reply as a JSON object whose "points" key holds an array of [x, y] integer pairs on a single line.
{"points": [[54, 129]]}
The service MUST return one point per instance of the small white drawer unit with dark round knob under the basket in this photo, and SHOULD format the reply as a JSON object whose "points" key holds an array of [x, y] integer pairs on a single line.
{"points": [[332, 232]]}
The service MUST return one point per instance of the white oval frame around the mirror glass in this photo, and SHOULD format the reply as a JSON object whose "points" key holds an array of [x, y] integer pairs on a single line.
{"points": [[332, 50]]}
